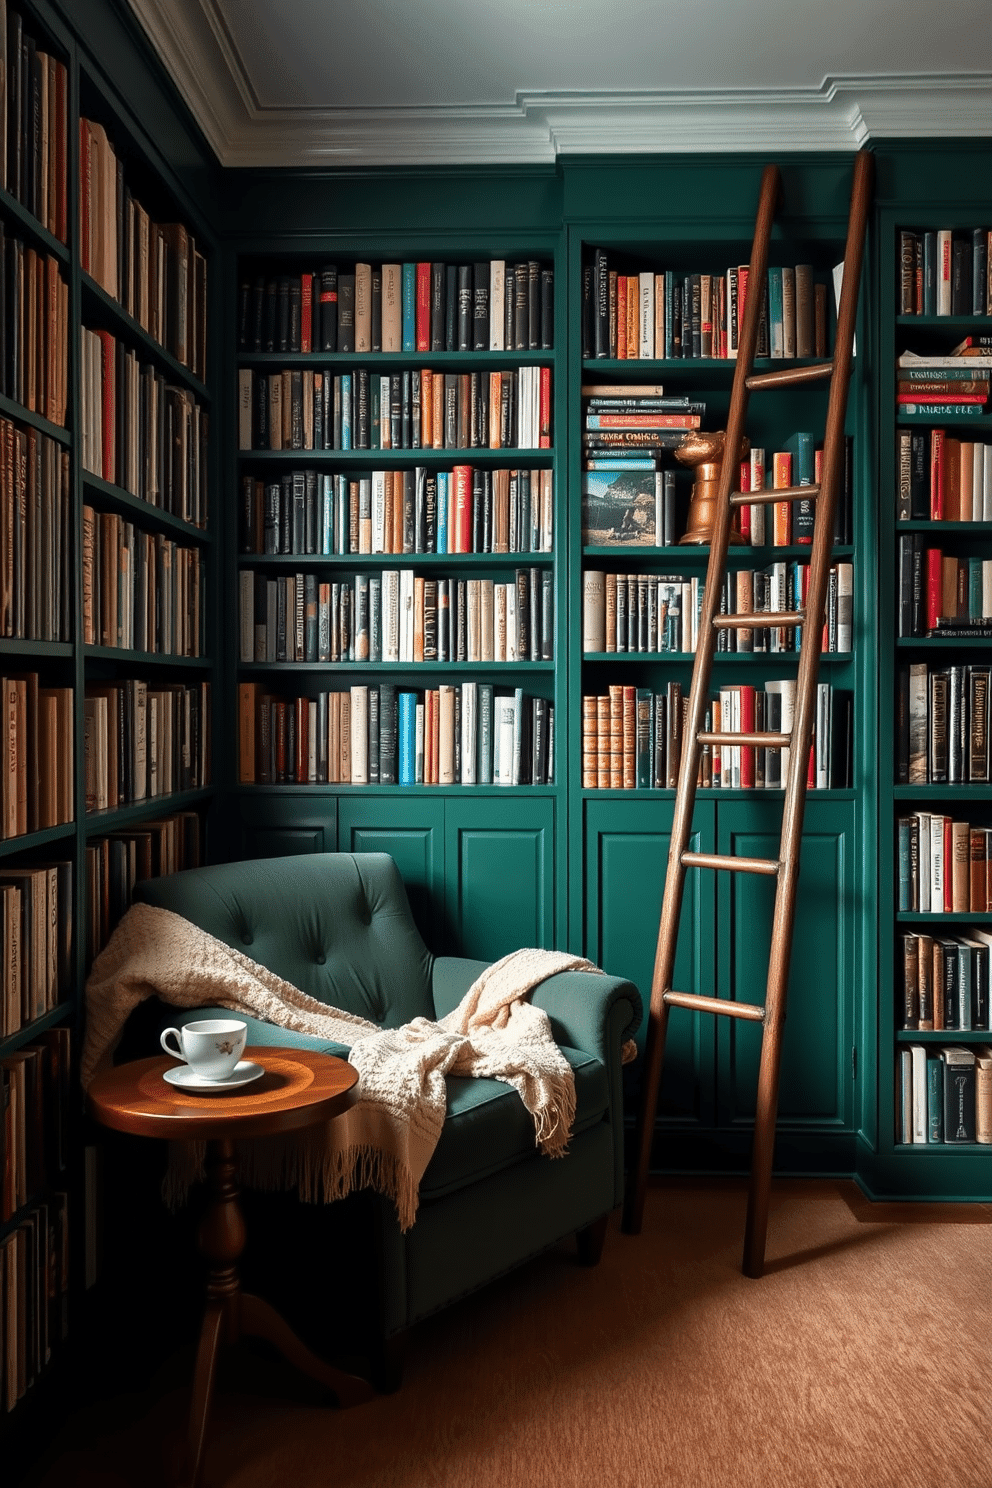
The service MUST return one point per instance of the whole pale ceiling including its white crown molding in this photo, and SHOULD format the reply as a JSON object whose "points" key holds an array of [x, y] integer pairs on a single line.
{"points": [[319, 83]]}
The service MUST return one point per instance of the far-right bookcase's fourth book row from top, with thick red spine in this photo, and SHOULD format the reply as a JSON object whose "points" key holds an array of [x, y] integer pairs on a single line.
{"points": [[939, 593]]}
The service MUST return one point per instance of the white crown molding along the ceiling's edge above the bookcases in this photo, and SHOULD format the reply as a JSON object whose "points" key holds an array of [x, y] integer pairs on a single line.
{"points": [[538, 127]]}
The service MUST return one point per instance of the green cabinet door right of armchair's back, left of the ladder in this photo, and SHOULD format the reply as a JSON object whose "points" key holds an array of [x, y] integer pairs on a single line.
{"points": [[500, 876]]}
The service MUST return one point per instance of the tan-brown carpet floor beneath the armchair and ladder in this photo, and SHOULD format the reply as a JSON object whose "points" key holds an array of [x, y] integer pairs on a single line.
{"points": [[860, 1361]]}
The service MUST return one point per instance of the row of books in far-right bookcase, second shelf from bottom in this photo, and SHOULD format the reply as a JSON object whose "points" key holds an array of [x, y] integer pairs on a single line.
{"points": [[947, 981]]}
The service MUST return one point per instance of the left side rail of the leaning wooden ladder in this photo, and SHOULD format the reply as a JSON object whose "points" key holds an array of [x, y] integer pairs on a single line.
{"points": [[703, 666]]}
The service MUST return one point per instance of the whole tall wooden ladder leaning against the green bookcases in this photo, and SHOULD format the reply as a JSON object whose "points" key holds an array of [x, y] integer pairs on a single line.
{"points": [[771, 1016]]}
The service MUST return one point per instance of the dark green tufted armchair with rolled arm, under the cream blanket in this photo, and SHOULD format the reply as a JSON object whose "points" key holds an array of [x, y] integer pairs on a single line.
{"points": [[340, 928]]}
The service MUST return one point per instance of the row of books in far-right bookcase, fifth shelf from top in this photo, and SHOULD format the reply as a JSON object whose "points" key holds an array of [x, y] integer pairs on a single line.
{"points": [[942, 724]]}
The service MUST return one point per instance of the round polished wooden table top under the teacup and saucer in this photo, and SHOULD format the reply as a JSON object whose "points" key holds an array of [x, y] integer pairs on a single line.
{"points": [[300, 1088]]}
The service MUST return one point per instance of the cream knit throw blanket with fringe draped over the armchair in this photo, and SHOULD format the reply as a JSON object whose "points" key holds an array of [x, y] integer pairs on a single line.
{"points": [[387, 1136]]}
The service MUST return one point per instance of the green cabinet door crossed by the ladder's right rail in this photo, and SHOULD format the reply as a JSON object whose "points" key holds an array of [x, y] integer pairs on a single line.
{"points": [[816, 1069]]}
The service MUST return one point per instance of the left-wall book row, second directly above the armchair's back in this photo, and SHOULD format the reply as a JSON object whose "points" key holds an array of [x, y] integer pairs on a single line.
{"points": [[142, 742]]}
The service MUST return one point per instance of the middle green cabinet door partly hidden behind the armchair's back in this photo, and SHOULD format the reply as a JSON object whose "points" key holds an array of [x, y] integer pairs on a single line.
{"points": [[413, 834]]}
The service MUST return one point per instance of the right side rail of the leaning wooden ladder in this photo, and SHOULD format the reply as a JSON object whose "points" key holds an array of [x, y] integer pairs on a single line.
{"points": [[785, 913]]}
